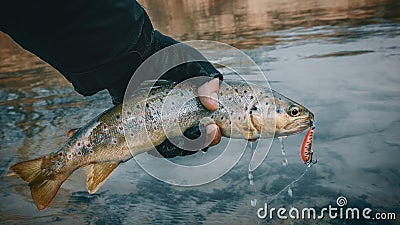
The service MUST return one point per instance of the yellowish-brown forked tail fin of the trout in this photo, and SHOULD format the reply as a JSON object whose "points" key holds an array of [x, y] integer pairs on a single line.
{"points": [[44, 184]]}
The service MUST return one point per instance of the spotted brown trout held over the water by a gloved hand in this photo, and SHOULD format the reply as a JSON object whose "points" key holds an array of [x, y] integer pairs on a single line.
{"points": [[149, 118]]}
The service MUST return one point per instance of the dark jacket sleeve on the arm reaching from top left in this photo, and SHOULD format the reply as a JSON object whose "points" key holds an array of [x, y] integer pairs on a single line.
{"points": [[96, 45]]}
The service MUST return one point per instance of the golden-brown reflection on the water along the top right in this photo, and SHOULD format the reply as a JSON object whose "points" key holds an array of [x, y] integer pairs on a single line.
{"points": [[253, 23]]}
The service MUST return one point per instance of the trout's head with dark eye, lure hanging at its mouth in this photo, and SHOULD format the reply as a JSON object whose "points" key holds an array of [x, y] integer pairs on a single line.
{"points": [[274, 115]]}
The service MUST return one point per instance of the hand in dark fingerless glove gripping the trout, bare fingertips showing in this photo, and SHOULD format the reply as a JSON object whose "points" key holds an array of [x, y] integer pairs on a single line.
{"points": [[207, 89]]}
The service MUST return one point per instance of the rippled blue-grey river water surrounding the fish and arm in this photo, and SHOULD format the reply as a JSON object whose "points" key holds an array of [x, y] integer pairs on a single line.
{"points": [[338, 58]]}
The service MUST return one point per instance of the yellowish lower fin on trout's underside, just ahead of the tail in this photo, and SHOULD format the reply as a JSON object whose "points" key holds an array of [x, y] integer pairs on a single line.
{"points": [[97, 174]]}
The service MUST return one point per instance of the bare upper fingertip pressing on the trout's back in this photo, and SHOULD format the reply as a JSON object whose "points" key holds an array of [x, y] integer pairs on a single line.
{"points": [[208, 94]]}
